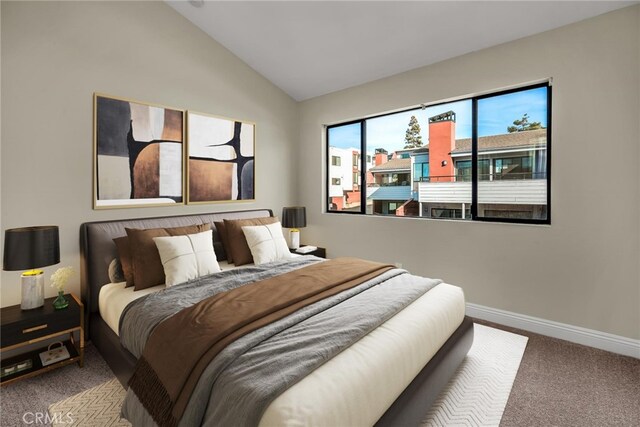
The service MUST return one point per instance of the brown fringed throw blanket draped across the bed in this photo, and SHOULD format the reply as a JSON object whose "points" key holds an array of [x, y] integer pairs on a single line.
{"points": [[181, 347]]}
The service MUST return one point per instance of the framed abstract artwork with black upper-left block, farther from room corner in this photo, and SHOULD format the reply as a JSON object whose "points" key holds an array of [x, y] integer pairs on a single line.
{"points": [[139, 154]]}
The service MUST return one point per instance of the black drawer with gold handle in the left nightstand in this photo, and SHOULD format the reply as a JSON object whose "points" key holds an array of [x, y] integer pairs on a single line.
{"points": [[39, 326]]}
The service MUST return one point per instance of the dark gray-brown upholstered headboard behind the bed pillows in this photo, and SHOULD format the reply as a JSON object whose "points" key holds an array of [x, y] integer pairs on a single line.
{"points": [[97, 248]]}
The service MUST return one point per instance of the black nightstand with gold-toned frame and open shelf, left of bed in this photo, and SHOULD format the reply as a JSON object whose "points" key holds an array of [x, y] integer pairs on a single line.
{"points": [[21, 328]]}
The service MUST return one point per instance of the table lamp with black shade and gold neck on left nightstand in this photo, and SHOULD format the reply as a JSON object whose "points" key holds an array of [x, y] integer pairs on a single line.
{"points": [[30, 248]]}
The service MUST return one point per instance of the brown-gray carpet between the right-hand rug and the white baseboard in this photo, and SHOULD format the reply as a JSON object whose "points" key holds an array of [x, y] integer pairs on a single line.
{"points": [[565, 384]]}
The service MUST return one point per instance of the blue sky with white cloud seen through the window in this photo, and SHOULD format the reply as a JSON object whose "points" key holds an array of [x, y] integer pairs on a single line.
{"points": [[494, 115]]}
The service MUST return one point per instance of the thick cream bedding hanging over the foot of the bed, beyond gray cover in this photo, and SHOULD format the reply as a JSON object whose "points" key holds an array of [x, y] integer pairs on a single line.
{"points": [[357, 386]]}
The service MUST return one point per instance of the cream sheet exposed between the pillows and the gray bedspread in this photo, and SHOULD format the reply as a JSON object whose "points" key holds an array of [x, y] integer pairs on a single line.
{"points": [[114, 297]]}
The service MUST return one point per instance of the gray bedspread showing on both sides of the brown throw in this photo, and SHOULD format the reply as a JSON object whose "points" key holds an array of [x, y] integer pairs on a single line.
{"points": [[241, 382]]}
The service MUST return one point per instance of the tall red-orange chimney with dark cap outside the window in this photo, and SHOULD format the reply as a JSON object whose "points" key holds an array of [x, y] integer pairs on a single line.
{"points": [[442, 140]]}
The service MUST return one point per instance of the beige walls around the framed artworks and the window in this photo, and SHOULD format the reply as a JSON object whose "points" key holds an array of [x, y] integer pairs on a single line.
{"points": [[582, 270]]}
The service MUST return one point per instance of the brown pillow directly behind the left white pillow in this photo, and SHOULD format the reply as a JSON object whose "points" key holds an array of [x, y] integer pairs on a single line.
{"points": [[145, 258]]}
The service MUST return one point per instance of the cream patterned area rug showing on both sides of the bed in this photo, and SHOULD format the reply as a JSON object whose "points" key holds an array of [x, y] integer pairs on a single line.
{"points": [[475, 396]]}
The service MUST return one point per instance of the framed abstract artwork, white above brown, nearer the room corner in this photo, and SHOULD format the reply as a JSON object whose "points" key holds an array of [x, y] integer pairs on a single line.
{"points": [[221, 159]]}
